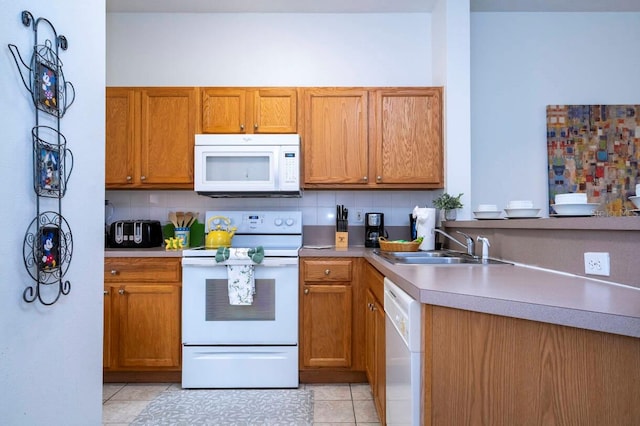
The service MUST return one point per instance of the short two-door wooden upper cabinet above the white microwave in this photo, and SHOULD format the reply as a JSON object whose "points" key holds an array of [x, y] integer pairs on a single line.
{"points": [[249, 110]]}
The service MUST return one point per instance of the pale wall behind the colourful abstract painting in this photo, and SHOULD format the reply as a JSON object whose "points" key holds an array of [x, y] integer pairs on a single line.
{"points": [[522, 62]]}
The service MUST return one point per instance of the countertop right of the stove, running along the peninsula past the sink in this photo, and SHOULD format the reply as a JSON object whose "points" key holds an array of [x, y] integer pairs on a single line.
{"points": [[517, 291]]}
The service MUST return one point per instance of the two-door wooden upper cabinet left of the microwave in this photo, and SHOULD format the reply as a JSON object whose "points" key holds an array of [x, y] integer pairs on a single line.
{"points": [[150, 135]]}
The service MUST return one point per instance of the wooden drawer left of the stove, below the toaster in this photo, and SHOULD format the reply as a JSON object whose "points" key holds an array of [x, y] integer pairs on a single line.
{"points": [[142, 269]]}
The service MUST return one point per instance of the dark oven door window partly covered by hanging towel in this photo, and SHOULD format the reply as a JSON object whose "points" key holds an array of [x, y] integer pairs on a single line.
{"points": [[217, 307]]}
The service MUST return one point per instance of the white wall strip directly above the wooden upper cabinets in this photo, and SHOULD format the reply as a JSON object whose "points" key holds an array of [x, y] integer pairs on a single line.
{"points": [[273, 49]]}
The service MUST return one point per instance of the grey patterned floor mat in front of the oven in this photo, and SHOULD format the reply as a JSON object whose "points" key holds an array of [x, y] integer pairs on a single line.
{"points": [[239, 407]]}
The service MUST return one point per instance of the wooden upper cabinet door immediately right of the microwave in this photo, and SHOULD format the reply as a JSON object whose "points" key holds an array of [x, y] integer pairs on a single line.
{"points": [[335, 137]]}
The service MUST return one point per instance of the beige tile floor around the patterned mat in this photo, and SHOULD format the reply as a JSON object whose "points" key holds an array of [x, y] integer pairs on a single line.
{"points": [[335, 404]]}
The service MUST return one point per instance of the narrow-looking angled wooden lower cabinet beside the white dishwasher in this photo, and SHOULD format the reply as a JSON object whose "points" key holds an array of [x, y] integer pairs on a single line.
{"points": [[375, 337]]}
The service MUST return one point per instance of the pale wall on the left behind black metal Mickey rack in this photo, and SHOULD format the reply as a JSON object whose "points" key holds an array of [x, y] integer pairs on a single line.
{"points": [[51, 357]]}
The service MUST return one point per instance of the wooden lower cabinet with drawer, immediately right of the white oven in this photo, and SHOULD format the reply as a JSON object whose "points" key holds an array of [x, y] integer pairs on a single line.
{"points": [[331, 338]]}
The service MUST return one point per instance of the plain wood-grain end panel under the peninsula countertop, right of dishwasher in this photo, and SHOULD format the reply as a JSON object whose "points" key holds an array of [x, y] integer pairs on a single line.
{"points": [[494, 370]]}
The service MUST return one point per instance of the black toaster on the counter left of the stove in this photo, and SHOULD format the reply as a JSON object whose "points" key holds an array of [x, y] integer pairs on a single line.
{"points": [[135, 234]]}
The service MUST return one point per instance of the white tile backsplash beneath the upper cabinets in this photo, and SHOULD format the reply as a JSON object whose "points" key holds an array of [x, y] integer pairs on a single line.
{"points": [[318, 207]]}
